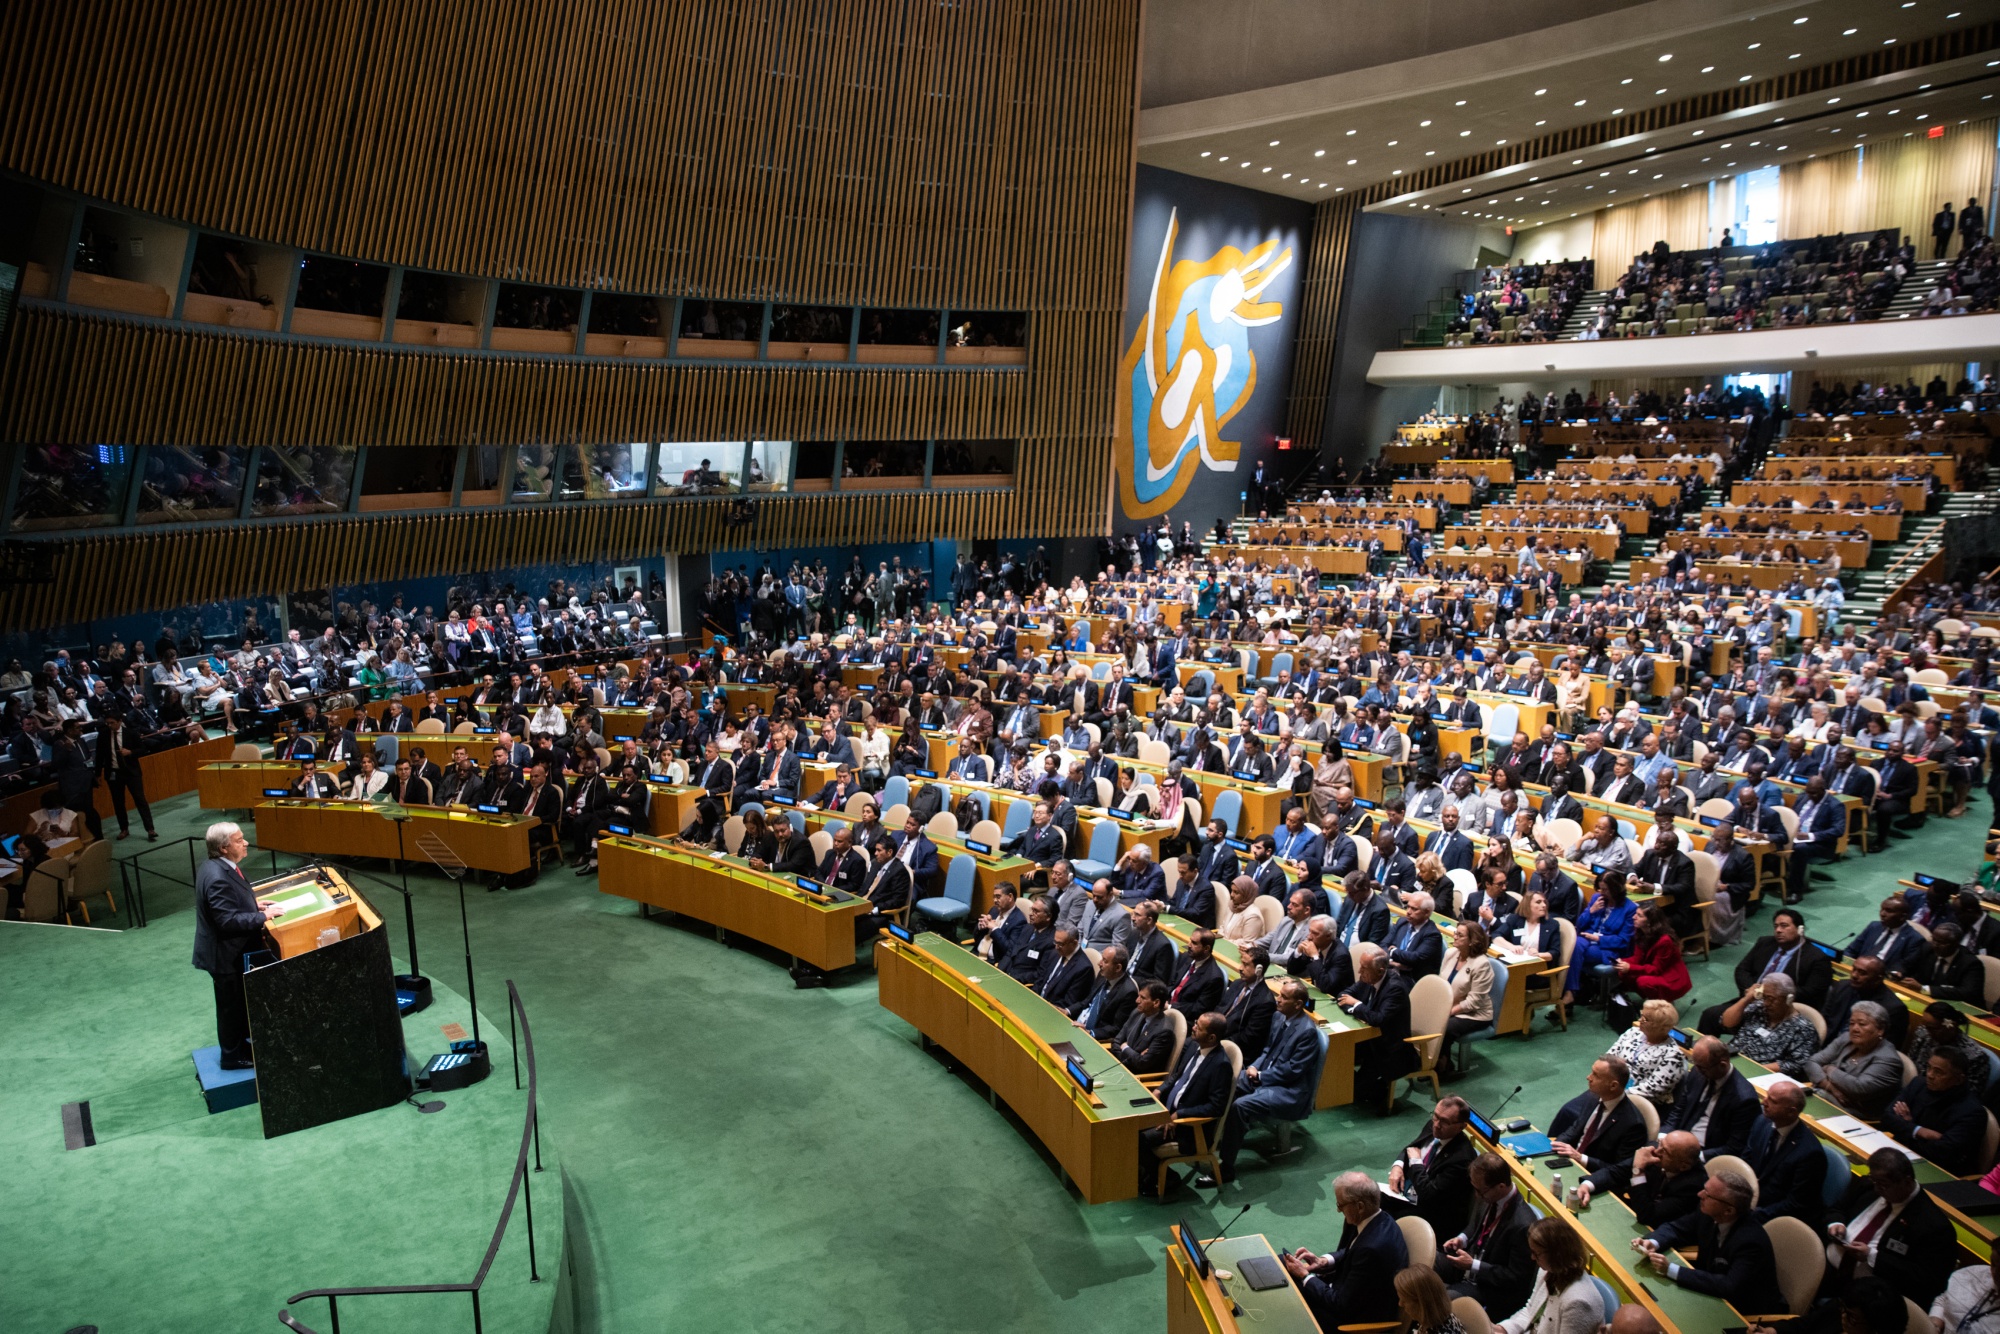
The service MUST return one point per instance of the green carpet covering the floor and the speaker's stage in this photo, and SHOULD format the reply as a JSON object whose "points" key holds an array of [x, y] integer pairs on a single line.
{"points": [[745, 1157]]}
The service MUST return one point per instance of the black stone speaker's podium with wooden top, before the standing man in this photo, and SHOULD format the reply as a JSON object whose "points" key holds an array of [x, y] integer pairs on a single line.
{"points": [[323, 1007]]}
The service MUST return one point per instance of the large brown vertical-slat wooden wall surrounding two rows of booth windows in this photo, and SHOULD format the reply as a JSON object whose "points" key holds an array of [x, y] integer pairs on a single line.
{"points": [[881, 153]]}
